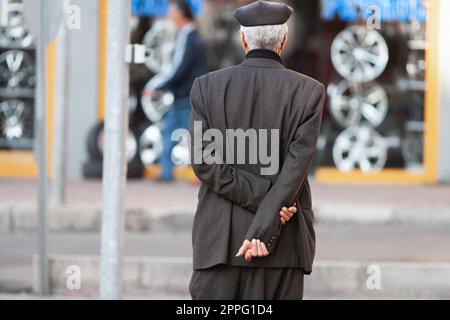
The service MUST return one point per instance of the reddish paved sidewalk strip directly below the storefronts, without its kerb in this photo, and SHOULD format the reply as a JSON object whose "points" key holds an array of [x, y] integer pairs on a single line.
{"points": [[144, 193]]}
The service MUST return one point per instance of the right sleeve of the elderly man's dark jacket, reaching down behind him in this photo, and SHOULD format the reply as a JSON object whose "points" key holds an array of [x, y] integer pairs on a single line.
{"points": [[266, 225]]}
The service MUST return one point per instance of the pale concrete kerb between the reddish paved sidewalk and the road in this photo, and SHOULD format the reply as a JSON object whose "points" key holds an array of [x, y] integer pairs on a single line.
{"points": [[83, 217]]}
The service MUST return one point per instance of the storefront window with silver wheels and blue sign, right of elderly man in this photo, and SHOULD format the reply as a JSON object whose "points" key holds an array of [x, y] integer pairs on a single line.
{"points": [[371, 55]]}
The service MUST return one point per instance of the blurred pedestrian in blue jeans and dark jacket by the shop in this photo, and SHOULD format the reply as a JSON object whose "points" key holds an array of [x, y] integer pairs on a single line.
{"points": [[189, 62]]}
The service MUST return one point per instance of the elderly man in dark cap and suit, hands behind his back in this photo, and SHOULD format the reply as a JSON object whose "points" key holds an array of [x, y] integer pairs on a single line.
{"points": [[247, 243]]}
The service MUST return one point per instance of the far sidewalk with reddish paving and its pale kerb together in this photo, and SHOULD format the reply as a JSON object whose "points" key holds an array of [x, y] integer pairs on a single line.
{"points": [[152, 206]]}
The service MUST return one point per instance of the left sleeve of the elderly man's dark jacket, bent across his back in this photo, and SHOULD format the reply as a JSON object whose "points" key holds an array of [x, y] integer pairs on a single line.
{"points": [[238, 186]]}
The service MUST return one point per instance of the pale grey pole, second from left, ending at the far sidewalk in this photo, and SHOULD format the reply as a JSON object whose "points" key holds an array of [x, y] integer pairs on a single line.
{"points": [[60, 132]]}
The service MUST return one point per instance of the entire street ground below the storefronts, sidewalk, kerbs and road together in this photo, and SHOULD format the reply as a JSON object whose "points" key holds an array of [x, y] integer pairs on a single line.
{"points": [[404, 230]]}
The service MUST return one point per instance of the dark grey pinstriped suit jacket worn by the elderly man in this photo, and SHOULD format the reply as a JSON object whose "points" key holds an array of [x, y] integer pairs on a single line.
{"points": [[235, 201]]}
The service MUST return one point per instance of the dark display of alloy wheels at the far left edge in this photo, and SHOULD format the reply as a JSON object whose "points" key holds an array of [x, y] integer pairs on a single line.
{"points": [[17, 80]]}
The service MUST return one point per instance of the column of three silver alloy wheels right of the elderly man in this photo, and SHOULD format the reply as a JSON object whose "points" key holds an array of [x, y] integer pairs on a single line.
{"points": [[357, 103]]}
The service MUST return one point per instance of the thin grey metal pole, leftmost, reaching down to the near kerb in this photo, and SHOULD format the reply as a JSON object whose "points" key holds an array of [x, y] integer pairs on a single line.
{"points": [[41, 140]]}
